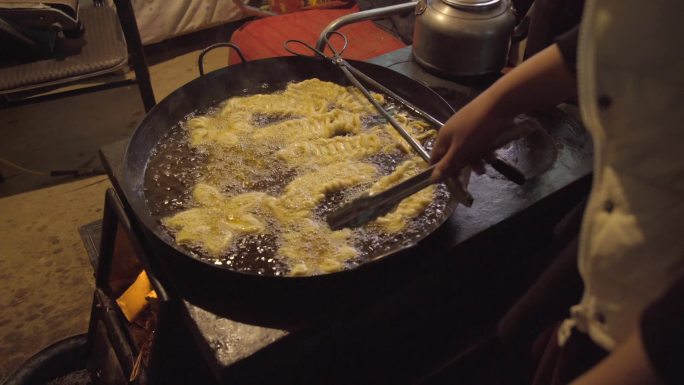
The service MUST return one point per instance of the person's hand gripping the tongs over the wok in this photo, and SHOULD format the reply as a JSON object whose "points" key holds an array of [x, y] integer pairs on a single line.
{"points": [[465, 139]]}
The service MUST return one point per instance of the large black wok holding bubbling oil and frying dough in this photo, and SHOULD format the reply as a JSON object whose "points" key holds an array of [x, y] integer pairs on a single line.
{"points": [[233, 293]]}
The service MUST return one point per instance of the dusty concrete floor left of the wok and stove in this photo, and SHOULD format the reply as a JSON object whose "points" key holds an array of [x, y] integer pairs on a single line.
{"points": [[46, 281]]}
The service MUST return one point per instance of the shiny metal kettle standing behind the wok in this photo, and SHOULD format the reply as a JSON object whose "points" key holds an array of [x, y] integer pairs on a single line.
{"points": [[462, 38]]}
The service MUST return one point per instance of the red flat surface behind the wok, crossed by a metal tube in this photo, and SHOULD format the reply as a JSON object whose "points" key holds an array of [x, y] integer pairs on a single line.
{"points": [[263, 38]]}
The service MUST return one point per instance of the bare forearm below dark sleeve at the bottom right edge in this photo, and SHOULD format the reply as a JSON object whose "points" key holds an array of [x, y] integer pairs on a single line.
{"points": [[628, 364]]}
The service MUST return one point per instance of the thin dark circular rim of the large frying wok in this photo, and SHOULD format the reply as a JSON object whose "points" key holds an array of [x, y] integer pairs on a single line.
{"points": [[138, 204]]}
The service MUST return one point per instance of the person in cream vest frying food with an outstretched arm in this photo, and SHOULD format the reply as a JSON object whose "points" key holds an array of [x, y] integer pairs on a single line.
{"points": [[631, 248]]}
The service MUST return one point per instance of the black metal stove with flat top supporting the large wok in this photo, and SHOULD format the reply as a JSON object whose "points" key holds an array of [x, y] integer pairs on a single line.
{"points": [[434, 304]]}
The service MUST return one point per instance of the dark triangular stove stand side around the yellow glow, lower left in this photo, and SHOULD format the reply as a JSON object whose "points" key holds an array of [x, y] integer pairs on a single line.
{"points": [[114, 354]]}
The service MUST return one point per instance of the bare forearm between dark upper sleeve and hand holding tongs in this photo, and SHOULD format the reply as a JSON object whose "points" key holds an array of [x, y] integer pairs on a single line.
{"points": [[541, 82]]}
